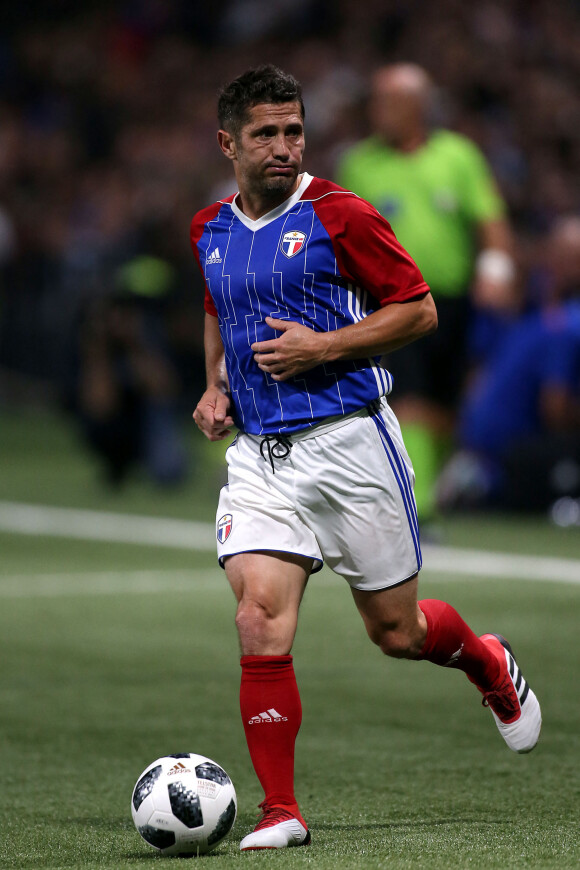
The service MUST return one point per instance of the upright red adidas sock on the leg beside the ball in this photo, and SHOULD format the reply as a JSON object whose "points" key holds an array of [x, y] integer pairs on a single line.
{"points": [[271, 713]]}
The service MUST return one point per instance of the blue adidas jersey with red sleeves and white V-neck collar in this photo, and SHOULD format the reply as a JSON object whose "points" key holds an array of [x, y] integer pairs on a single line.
{"points": [[324, 258]]}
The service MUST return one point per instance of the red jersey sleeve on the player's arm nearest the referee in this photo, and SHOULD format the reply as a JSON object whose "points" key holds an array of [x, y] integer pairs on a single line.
{"points": [[366, 248]]}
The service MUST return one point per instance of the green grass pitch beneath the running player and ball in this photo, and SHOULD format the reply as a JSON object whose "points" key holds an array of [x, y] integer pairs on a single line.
{"points": [[114, 654]]}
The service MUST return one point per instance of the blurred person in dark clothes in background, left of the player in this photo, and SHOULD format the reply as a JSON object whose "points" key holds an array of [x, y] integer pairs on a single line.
{"points": [[126, 389]]}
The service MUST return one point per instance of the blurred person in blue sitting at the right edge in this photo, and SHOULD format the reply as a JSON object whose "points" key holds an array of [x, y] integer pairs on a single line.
{"points": [[519, 429]]}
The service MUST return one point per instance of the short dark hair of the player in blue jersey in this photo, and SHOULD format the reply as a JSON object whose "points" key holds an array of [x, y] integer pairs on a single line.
{"points": [[264, 84]]}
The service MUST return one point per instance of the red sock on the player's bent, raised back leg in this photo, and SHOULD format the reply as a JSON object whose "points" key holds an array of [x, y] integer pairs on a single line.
{"points": [[451, 643]]}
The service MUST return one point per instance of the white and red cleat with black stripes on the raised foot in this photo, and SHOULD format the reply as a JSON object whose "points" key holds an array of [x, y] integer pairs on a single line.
{"points": [[514, 706]]}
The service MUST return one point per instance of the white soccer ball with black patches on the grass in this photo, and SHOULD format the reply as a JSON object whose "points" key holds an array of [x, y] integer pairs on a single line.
{"points": [[184, 804]]}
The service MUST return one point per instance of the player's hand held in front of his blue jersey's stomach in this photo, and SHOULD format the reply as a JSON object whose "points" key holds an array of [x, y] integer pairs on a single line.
{"points": [[297, 350]]}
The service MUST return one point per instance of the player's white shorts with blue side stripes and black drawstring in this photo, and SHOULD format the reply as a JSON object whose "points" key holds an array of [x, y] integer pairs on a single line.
{"points": [[343, 495]]}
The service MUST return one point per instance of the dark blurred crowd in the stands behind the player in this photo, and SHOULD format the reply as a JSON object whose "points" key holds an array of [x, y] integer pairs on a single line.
{"points": [[108, 148]]}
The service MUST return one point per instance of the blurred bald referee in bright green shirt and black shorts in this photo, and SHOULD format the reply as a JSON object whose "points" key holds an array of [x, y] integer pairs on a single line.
{"points": [[438, 193]]}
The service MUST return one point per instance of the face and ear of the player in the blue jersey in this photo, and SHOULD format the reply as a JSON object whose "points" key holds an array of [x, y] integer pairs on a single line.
{"points": [[267, 152]]}
